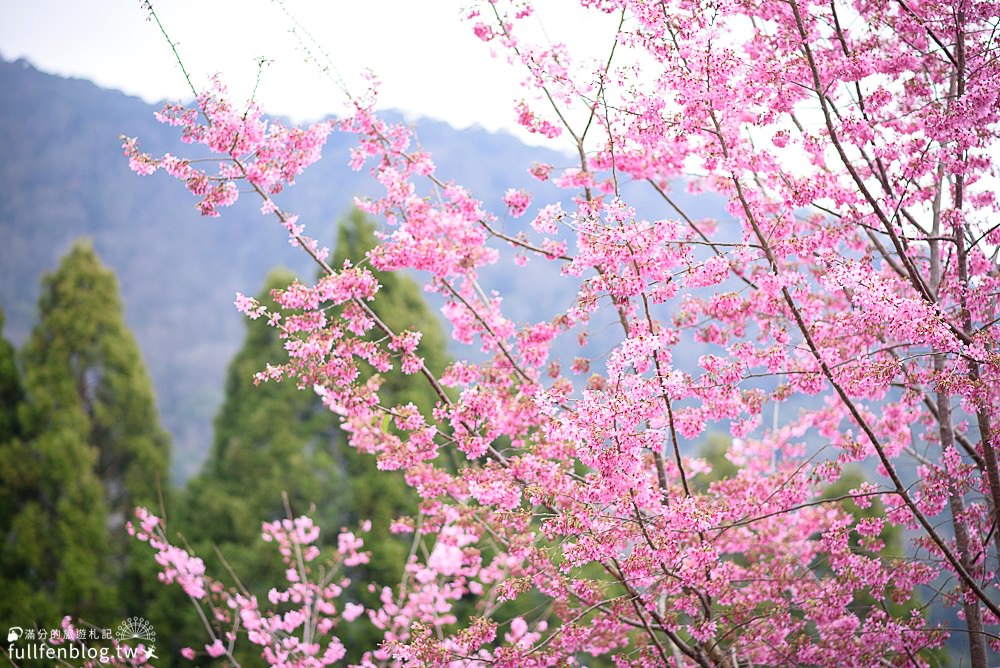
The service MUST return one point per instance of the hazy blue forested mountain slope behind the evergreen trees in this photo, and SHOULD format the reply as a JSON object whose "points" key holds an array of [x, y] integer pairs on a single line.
{"points": [[63, 176]]}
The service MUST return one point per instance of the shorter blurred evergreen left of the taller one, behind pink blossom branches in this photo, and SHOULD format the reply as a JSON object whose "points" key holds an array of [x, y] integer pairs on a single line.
{"points": [[270, 440]]}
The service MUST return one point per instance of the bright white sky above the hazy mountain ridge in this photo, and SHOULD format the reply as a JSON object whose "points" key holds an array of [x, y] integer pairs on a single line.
{"points": [[424, 51]]}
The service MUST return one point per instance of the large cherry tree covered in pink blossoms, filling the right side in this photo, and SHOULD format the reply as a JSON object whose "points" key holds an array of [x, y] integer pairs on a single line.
{"points": [[854, 280]]}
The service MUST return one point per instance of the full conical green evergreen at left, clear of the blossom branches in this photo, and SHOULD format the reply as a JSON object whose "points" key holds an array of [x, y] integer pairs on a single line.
{"points": [[90, 450]]}
